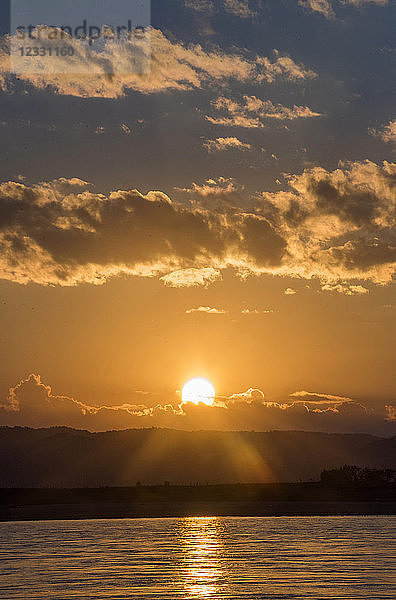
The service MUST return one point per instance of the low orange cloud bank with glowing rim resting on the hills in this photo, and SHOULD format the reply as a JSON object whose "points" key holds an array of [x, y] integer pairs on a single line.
{"points": [[32, 403]]}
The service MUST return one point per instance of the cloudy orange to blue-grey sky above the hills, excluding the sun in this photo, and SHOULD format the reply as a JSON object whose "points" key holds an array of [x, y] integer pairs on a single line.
{"points": [[224, 208]]}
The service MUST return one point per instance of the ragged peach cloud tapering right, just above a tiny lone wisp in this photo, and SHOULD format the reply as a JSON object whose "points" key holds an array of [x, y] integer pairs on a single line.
{"points": [[254, 113]]}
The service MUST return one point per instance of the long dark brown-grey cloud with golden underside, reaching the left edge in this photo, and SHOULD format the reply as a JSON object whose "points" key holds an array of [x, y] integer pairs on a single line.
{"points": [[51, 236]]}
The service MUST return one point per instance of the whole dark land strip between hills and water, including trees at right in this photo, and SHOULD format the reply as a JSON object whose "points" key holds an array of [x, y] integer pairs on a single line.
{"points": [[248, 500]]}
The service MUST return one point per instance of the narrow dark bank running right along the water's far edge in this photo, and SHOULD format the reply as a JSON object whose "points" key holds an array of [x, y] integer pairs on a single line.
{"points": [[45, 512]]}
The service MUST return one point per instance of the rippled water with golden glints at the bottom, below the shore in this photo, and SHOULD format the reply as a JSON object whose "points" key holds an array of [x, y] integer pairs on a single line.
{"points": [[200, 558]]}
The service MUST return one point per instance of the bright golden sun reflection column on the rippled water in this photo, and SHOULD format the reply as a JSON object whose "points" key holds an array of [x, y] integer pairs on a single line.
{"points": [[201, 568]]}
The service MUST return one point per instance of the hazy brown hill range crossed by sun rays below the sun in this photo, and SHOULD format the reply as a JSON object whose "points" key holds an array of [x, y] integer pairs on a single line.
{"points": [[62, 457]]}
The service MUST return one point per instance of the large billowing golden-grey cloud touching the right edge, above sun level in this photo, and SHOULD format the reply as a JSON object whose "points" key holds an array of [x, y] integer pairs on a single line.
{"points": [[340, 225]]}
